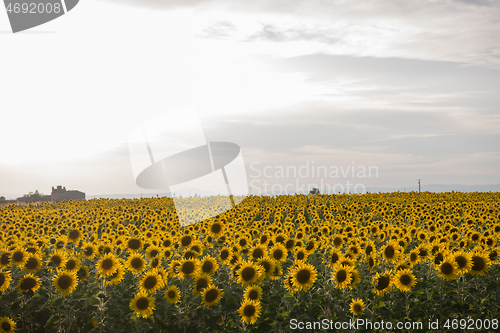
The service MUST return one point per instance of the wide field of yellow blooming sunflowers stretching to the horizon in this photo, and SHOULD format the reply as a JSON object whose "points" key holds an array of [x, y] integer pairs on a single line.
{"points": [[105, 265]]}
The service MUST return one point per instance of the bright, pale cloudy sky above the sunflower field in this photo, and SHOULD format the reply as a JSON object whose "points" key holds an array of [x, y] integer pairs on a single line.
{"points": [[408, 88]]}
